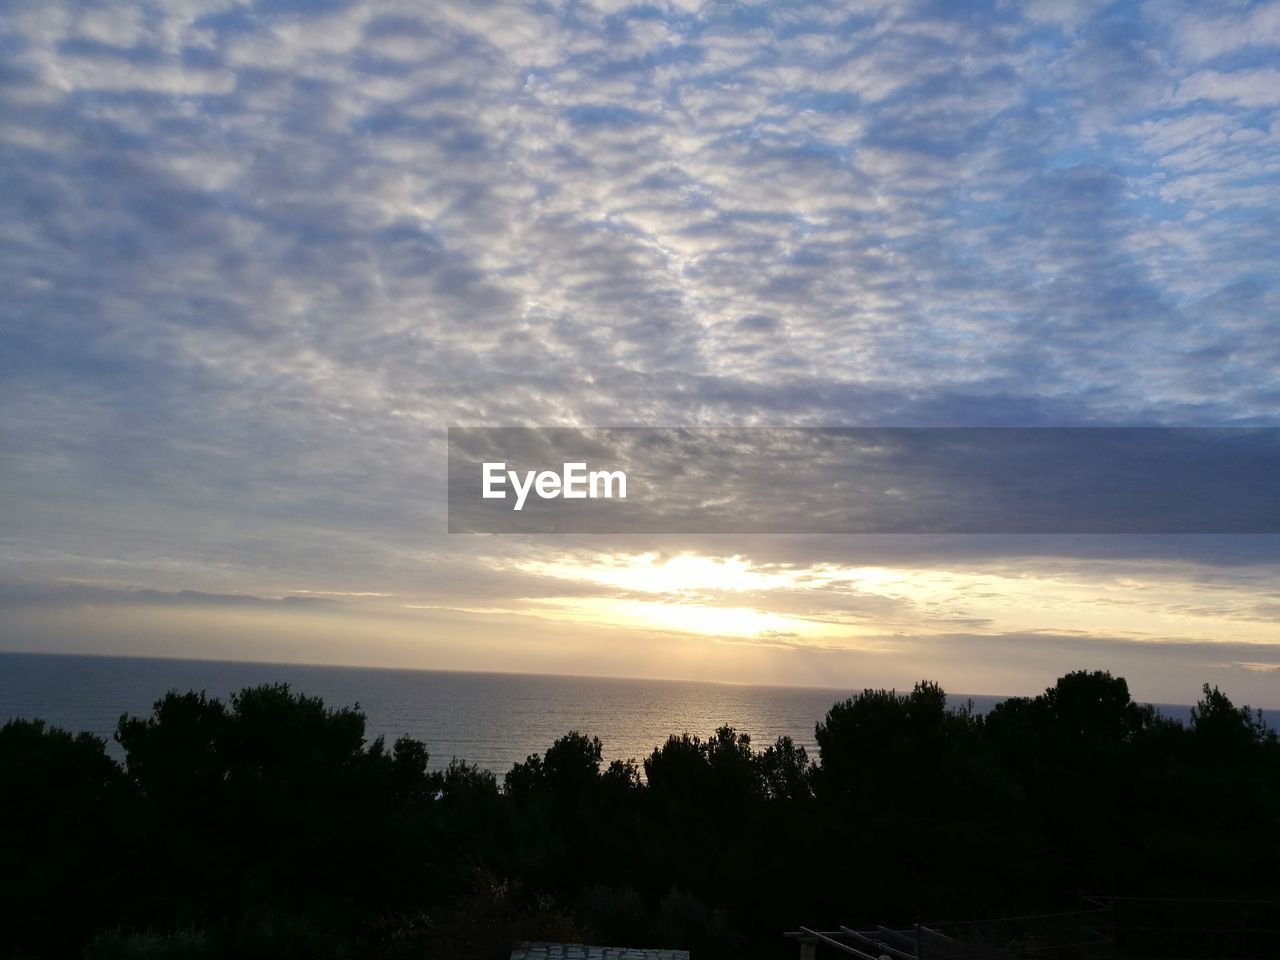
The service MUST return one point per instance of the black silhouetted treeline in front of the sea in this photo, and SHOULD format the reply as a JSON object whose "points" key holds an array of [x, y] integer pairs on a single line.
{"points": [[268, 828]]}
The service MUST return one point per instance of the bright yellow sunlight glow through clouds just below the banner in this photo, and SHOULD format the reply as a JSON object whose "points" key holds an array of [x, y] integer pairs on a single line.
{"points": [[703, 596]]}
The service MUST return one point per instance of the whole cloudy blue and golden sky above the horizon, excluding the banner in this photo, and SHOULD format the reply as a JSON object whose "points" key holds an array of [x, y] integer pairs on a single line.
{"points": [[257, 258]]}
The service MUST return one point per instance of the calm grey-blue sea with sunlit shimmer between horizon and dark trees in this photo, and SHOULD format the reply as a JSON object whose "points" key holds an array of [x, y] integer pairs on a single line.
{"points": [[491, 720]]}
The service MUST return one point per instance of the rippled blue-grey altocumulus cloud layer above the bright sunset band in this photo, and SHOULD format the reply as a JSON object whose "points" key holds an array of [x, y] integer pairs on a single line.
{"points": [[258, 255]]}
